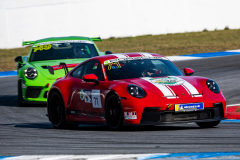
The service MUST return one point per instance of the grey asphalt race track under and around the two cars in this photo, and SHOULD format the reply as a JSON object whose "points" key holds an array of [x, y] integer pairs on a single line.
{"points": [[27, 131]]}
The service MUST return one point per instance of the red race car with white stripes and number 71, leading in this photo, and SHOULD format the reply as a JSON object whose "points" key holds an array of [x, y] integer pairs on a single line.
{"points": [[133, 89]]}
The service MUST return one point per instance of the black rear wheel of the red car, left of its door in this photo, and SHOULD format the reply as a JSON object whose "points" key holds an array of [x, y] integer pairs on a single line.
{"points": [[56, 111]]}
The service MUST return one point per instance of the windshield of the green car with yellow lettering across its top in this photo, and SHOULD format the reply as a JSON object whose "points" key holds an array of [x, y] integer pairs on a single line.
{"points": [[63, 51]]}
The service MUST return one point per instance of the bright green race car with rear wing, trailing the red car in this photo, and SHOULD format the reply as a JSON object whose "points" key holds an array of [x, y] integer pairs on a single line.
{"points": [[34, 79]]}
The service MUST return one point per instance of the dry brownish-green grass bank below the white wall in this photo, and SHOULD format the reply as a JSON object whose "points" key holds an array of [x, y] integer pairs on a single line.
{"points": [[167, 45]]}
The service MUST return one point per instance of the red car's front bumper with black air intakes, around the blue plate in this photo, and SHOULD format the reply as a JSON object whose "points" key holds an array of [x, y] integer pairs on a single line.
{"points": [[150, 112]]}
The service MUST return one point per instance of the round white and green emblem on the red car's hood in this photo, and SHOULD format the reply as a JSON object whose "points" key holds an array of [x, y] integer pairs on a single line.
{"points": [[170, 81]]}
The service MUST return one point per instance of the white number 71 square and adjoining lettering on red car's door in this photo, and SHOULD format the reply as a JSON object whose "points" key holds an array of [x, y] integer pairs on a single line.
{"points": [[91, 96]]}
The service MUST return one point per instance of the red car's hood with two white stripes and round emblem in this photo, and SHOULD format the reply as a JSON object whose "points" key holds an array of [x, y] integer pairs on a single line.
{"points": [[170, 86]]}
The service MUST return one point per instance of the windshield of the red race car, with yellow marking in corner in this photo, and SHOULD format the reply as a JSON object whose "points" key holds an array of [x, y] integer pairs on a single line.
{"points": [[141, 68]]}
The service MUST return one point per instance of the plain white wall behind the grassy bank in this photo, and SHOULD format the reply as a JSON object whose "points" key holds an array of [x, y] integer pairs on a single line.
{"points": [[25, 20]]}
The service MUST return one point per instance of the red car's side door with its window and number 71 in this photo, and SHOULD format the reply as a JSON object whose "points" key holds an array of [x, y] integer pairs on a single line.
{"points": [[87, 97]]}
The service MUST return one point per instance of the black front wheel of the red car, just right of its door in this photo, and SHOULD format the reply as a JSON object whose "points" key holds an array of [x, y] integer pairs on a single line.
{"points": [[114, 112]]}
